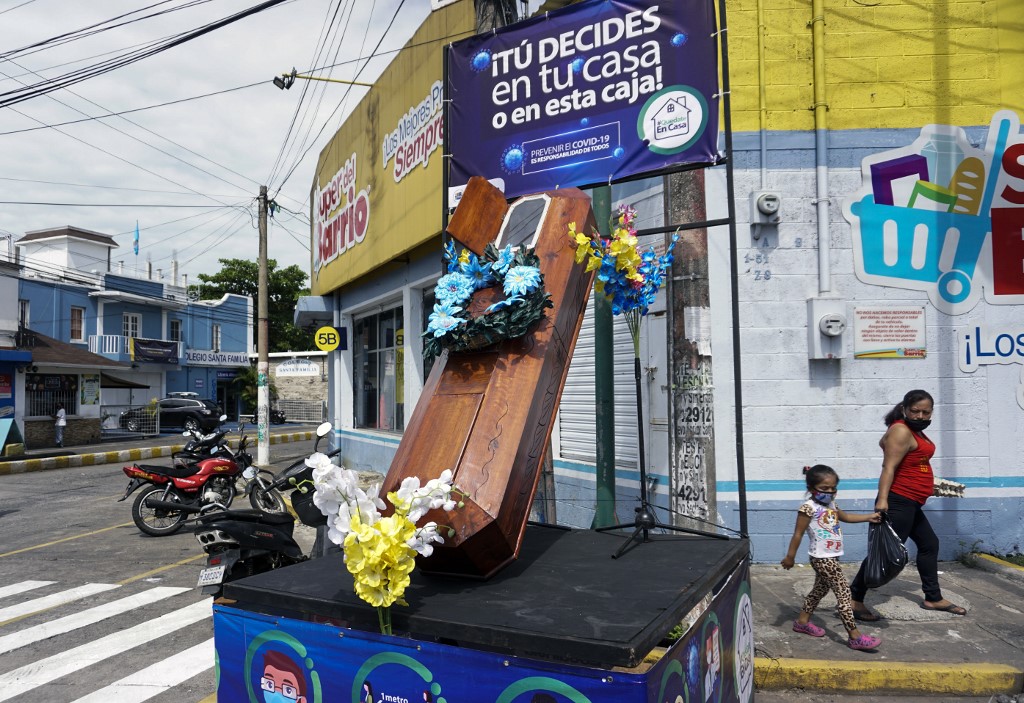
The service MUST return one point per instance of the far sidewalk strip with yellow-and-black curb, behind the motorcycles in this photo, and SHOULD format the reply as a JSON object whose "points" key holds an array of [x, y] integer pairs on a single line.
{"points": [[135, 450]]}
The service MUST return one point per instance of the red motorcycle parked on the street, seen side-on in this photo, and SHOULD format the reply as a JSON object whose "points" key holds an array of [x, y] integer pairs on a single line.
{"points": [[196, 480]]}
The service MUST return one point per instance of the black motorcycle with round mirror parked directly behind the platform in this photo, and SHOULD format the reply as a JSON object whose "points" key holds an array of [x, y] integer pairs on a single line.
{"points": [[241, 544]]}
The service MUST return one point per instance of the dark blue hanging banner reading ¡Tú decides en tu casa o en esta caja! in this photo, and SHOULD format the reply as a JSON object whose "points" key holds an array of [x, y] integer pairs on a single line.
{"points": [[598, 92]]}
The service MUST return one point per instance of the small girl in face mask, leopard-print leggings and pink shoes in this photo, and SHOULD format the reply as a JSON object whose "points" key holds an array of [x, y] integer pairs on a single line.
{"points": [[820, 518]]}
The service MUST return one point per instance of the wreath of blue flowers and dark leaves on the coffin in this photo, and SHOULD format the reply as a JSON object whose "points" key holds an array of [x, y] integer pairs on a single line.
{"points": [[451, 327]]}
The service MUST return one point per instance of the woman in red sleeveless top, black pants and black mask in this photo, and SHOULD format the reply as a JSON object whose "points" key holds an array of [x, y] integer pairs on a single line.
{"points": [[906, 485]]}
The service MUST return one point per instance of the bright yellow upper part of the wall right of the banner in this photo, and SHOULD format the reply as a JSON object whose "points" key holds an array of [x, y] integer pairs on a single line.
{"points": [[889, 64]]}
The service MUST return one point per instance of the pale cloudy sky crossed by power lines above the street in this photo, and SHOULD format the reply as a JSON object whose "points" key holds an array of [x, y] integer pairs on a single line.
{"points": [[188, 173]]}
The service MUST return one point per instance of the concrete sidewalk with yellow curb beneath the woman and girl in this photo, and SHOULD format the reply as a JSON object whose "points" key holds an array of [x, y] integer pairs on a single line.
{"points": [[922, 652]]}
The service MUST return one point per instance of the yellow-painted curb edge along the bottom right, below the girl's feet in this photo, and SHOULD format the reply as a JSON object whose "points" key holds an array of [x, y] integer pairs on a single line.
{"points": [[903, 678]]}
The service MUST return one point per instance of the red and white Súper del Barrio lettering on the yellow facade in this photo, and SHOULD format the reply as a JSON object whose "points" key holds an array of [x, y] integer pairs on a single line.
{"points": [[343, 215]]}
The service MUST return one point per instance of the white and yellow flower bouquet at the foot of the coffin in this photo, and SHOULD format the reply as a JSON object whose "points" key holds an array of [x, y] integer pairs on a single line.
{"points": [[380, 552]]}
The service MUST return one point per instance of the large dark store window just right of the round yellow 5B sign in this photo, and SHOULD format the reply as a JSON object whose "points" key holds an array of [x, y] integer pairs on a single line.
{"points": [[379, 380]]}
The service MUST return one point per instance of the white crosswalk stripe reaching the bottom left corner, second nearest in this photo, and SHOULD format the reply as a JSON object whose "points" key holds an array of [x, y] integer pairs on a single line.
{"points": [[44, 672]]}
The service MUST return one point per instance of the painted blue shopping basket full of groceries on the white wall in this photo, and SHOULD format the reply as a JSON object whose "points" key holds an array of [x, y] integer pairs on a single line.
{"points": [[946, 217]]}
